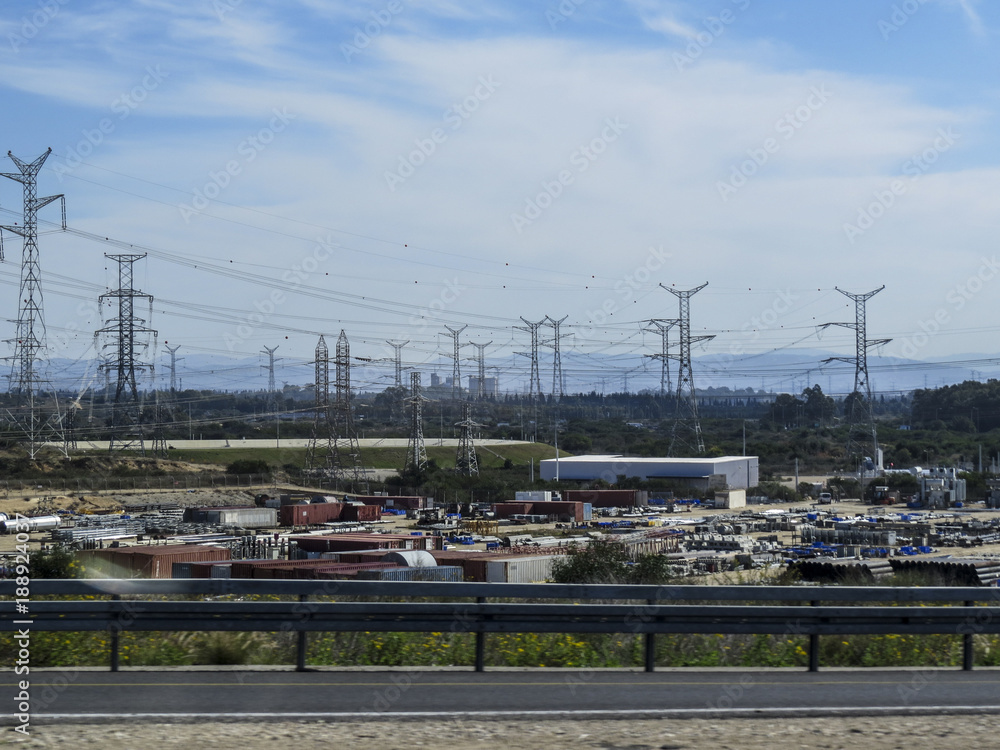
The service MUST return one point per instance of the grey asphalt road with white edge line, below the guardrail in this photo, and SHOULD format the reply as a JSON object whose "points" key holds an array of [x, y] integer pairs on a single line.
{"points": [[58, 695]]}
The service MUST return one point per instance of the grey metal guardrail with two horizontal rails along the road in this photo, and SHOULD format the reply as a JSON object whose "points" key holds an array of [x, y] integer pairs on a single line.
{"points": [[646, 610]]}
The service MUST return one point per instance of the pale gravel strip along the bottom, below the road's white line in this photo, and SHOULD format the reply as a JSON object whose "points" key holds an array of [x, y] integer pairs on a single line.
{"points": [[842, 733]]}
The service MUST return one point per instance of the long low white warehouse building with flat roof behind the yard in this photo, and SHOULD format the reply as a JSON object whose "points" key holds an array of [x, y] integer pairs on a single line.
{"points": [[733, 472]]}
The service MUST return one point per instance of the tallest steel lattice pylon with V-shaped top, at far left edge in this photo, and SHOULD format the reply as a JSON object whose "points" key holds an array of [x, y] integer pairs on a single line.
{"points": [[29, 343]]}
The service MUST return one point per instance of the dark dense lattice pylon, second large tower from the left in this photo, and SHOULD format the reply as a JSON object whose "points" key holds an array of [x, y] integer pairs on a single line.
{"points": [[128, 431]]}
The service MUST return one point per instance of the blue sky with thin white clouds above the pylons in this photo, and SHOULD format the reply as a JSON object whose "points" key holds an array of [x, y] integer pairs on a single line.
{"points": [[294, 168]]}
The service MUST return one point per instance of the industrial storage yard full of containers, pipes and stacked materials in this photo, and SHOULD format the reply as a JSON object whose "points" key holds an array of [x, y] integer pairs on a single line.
{"points": [[295, 533]]}
